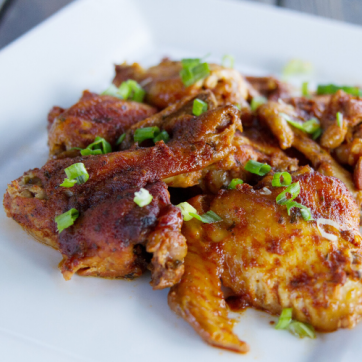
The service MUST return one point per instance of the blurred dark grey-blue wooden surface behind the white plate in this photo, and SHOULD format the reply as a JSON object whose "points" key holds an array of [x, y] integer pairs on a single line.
{"points": [[19, 16]]}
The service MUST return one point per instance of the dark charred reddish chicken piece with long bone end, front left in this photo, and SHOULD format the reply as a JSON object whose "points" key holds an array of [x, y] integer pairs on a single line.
{"points": [[102, 240]]}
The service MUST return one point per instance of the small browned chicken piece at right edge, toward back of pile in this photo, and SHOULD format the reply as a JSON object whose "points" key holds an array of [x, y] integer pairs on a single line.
{"points": [[351, 109]]}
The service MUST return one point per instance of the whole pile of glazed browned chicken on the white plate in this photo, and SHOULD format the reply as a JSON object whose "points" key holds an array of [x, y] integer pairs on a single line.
{"points": [[267, 258]]}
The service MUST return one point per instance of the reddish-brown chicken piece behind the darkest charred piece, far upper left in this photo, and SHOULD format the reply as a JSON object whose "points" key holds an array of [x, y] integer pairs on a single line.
{"points": [[94, 115]]}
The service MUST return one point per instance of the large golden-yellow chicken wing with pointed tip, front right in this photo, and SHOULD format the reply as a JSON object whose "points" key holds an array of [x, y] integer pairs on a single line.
{"points": [[272, 260]]}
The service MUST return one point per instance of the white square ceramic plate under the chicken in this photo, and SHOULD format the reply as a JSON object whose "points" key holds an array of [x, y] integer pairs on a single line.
{"points": [[42, 317]]}
